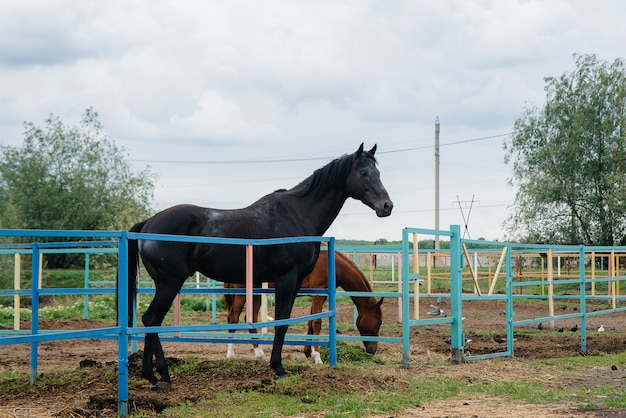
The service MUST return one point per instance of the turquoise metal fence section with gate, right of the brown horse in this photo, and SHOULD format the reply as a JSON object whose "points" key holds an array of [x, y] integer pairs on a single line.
{"points": [[457, 296]]}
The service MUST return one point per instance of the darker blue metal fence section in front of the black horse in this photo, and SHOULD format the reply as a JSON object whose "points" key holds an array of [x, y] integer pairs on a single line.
{"points": [[124, 333]]}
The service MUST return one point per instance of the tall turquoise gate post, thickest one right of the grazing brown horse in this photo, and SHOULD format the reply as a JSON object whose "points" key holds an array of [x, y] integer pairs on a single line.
{"points": [[457, 339]]}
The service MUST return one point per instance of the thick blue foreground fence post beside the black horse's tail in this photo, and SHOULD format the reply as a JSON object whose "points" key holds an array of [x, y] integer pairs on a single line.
{"points": [[123, 310]]}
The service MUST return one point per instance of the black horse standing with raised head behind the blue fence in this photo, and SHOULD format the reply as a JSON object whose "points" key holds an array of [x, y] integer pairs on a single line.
{"points": [[308, 209]]}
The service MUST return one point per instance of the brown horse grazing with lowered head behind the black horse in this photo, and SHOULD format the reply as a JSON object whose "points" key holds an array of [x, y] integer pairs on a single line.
{"points": [[349, 278]]}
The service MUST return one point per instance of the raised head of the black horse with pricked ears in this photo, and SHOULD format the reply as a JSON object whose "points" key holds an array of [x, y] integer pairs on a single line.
{"points": [[364, 183]]}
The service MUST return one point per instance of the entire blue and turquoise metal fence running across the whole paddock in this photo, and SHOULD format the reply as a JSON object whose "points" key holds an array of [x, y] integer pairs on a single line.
{"points": [[118, 242]]}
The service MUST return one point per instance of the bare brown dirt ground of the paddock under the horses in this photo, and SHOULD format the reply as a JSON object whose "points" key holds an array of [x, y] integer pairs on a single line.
{"points": [[93, 392]]}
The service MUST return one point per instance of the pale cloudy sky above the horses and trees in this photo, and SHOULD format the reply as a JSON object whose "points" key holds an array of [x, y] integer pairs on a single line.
{"points": [[229, 100]]}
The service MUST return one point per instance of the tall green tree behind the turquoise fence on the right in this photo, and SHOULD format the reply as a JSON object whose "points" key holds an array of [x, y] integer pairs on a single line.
{"points": [[569, 159]]}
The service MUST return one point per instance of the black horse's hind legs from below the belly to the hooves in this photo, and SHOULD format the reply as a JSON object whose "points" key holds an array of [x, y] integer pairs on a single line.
{"points": [[153, 316]]}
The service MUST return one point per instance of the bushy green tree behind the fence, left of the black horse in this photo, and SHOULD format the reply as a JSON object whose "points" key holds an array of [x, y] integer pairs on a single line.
{"points": [[71, 177]]}
